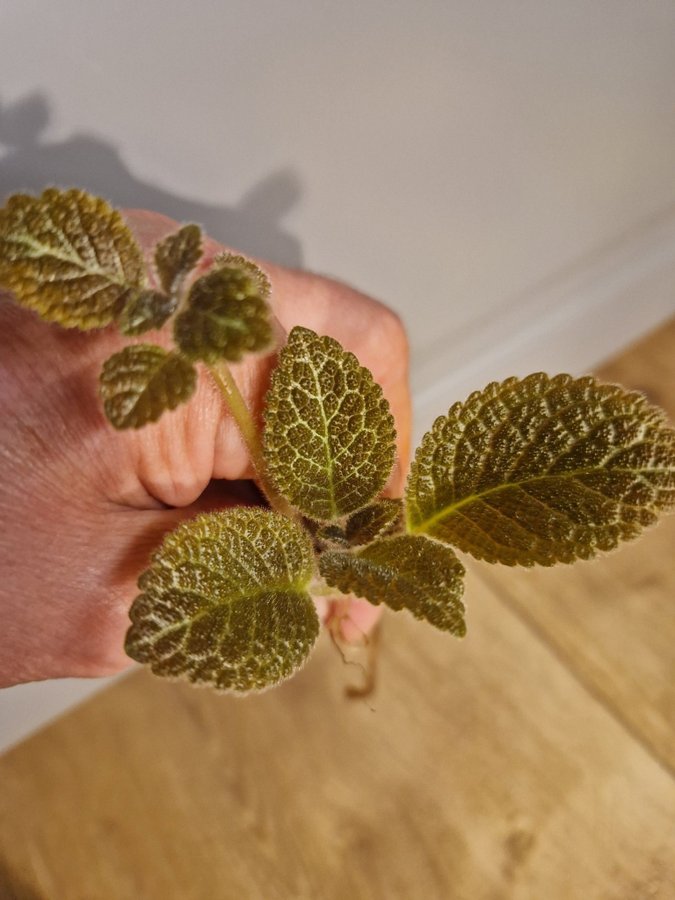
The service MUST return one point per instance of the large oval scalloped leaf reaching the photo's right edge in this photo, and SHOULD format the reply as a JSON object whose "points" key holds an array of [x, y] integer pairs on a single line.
{"points": [[542, 470]]}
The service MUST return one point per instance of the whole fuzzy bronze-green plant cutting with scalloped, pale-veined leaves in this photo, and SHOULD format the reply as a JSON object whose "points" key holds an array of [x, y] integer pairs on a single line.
{"points": [[530, 471]]}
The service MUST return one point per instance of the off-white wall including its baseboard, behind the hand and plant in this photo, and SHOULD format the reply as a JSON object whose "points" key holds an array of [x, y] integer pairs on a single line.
{"points": [[501, 173]]}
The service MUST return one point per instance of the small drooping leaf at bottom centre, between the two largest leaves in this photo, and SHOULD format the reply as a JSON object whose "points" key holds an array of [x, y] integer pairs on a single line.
{"points": [[404, 572]]}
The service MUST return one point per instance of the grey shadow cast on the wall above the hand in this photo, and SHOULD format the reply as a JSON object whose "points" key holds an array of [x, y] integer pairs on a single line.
{"points": [[29, 162]]}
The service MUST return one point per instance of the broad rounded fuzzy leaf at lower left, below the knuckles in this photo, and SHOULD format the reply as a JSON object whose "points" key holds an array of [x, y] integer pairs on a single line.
{"points": [[225, 602]]}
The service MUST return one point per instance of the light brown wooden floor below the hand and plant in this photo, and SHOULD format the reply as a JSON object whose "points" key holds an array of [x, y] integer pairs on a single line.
{"points": [[534, 759]]}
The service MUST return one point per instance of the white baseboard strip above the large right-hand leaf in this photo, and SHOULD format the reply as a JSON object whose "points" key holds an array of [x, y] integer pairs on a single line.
{"points": [[570, 323]]}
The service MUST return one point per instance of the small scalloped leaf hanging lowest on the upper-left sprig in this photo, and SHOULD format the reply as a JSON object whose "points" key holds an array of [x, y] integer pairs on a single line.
{"points": [[141, 382]]}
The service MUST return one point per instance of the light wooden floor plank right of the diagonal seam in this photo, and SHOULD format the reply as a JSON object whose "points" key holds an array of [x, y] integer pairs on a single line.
{"points": [[613, 620]]}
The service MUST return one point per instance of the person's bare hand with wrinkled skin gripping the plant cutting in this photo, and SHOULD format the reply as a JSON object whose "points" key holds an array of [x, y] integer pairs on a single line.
{"points": [[83, 506]]}
